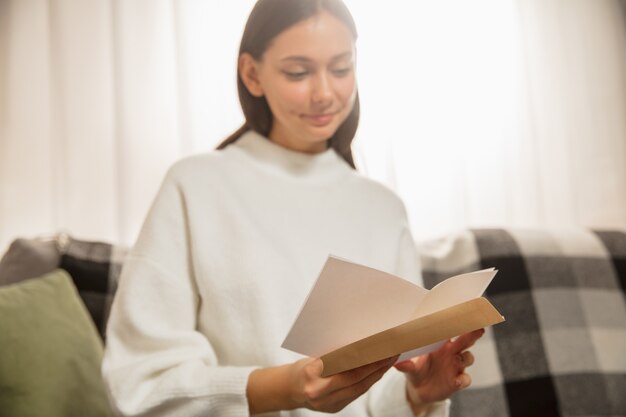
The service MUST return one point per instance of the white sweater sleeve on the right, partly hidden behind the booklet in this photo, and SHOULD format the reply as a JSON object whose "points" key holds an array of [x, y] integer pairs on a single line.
{"points": [[387, 397]]}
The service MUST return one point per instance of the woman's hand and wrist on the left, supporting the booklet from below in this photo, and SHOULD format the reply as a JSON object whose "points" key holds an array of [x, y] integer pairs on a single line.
{"points": [[300, 385]]}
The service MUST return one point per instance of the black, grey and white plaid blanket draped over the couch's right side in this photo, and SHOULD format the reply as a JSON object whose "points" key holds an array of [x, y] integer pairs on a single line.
{"points": [[562, 350]]}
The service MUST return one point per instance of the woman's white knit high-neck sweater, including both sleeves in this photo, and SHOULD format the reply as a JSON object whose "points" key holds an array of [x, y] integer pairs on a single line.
{"points": [[230, 248]]}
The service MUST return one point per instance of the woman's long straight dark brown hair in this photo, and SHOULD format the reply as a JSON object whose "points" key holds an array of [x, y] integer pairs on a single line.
{"points": [[267, 20]]}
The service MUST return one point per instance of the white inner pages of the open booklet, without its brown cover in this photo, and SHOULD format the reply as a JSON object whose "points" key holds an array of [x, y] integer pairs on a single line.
{"points": [[350, 301]]}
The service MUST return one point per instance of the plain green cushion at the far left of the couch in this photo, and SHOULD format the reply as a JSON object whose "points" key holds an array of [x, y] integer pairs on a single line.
{"points": [[50, 352]]}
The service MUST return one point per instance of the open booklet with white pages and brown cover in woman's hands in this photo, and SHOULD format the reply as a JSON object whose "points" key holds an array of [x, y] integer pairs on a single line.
{"points": [[355, 315]]}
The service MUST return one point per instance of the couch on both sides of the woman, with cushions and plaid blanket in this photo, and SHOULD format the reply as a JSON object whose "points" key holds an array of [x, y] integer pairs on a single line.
{"points": [[561, 352]]}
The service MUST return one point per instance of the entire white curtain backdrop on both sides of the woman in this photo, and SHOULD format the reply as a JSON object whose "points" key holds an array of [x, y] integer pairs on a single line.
{"points": [[481, 113]]}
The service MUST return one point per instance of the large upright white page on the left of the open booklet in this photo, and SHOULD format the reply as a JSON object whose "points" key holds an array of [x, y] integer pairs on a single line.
{"points": [[347, 303]]}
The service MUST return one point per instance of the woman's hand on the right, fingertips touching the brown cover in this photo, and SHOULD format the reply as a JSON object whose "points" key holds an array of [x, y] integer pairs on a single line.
{"points": [[437, 375]]}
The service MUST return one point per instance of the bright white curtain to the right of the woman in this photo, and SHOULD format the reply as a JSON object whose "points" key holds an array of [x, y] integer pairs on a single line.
{"points": [[500, 112]]}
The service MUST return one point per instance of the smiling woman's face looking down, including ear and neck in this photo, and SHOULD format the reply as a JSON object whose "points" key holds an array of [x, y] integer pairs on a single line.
{"points": [[307, 77]]}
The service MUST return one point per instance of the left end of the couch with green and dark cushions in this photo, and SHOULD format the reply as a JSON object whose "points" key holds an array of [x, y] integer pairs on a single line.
{"points": [[55, 295]]}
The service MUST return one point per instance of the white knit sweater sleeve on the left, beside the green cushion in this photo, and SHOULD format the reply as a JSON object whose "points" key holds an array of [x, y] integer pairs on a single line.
{"points": [[156, 362]]}
